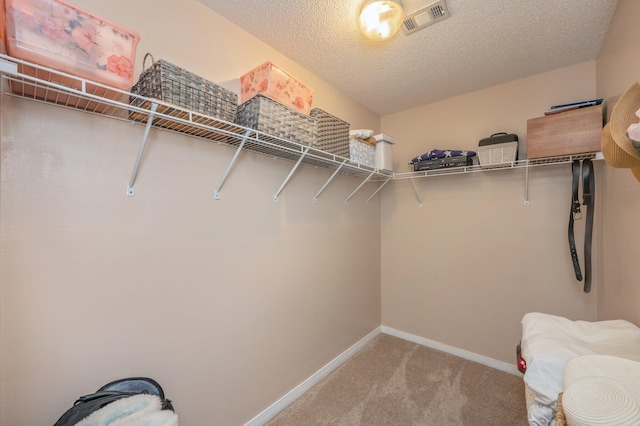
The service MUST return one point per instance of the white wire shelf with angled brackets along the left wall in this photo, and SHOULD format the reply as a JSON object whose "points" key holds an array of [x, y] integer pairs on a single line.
{"points": [[42, 84]]}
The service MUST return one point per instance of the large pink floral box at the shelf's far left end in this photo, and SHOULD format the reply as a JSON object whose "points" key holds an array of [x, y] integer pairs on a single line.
{"points": [[60, 36]]}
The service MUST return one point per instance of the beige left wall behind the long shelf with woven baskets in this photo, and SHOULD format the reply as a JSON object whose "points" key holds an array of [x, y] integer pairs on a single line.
{"points": [[229, 304]]}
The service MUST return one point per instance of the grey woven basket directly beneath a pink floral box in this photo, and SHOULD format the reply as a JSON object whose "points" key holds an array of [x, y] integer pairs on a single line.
{"points": [[266, 115]]}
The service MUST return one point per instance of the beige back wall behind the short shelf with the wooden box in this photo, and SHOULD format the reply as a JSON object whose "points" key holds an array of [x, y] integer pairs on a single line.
{"points": [[465, 268]]}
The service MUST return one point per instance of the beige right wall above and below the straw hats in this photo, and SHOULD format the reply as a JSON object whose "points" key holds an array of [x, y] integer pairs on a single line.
{"points": [[618, 66]]}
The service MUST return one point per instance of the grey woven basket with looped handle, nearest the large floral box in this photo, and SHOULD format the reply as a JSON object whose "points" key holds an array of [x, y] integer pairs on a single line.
{"points": [[177, 86]]}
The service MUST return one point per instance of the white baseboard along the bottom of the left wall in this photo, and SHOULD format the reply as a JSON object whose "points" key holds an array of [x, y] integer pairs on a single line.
{"points": [[296, 392]]}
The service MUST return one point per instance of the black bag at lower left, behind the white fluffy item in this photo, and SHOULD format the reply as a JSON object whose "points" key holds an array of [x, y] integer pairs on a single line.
{"points": [[118, 389]]}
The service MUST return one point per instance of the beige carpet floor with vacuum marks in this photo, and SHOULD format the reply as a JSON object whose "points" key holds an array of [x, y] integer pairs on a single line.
{"points": [[395, 382]]}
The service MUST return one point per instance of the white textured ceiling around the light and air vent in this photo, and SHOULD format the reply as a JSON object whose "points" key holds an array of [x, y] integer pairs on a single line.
{"points": [[482, 43]]}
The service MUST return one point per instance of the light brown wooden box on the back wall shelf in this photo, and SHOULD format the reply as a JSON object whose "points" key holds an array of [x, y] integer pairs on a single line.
{"points": [[565, 133]]}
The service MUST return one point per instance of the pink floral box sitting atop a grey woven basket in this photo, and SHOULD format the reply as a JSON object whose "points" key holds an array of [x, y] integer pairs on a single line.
{"points": [[278, 85]]}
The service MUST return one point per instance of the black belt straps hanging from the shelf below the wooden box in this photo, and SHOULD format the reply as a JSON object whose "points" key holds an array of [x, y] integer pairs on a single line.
{"points": [[588, 196]]}
